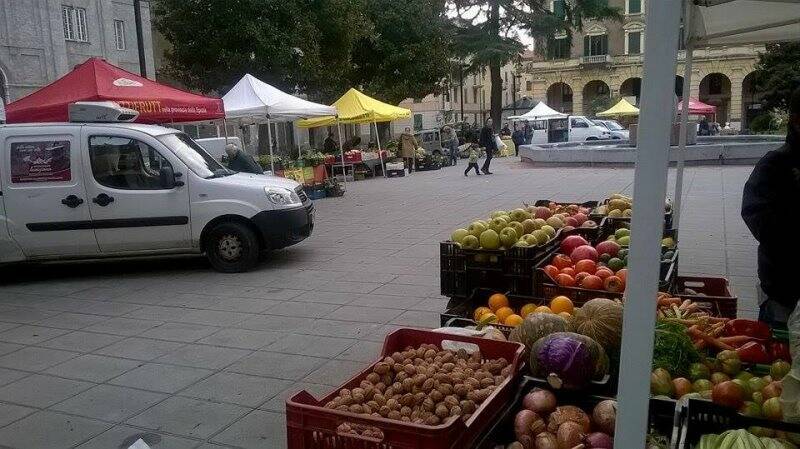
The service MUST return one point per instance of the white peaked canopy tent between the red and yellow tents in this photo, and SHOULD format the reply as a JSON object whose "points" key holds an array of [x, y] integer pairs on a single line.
{"points": [[254, 99]]}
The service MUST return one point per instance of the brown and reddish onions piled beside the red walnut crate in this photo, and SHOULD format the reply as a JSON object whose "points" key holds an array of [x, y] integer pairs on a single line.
{"points": [[543, 423]]}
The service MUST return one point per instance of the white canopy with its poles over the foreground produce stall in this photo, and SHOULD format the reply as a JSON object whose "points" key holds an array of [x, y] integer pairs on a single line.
{"points": [[713, 22]]}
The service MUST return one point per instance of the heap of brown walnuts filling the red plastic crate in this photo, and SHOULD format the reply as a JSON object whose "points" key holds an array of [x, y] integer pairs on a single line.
{"points": [[425, 385]]}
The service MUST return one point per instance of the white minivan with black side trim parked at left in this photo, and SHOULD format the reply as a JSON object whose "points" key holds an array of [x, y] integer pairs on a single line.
{"points": [[92, 190]]}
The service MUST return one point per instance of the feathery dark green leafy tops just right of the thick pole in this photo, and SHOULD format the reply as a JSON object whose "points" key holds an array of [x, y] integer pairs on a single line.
{"points": [[673, 350]]}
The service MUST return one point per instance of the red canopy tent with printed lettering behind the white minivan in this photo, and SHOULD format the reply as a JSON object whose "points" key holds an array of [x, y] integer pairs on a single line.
{"points": [[97, 80]]}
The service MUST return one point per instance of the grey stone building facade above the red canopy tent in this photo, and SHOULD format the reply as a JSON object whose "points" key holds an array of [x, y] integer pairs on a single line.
{"points": [[41, 40]]}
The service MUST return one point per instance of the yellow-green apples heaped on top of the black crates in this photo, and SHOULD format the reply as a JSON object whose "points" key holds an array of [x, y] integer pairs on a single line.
{"points": [[504, 230]]}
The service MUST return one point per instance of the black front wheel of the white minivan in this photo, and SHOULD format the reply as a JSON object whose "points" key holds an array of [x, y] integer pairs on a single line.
{"points": [[232, 248]]}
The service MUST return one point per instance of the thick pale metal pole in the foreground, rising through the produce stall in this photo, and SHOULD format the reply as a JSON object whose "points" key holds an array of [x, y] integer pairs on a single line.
{"points": [[650, 188]]}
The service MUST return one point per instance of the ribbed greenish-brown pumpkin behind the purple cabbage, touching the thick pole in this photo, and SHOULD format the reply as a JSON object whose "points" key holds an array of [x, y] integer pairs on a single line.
{"points": [[601, 320]]}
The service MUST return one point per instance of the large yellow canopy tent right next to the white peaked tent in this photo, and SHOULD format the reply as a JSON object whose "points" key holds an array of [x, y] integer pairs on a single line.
{"points": [[354, 107]]}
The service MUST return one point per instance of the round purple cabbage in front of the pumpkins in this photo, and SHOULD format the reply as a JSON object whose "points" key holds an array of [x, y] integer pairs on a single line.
{"points": [[565, 361]]}
